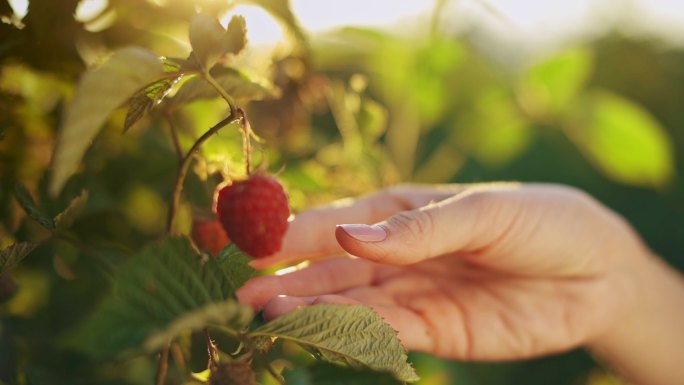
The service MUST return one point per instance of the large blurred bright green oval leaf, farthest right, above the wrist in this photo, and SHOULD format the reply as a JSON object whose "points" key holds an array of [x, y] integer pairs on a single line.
{"points": [[623, 140]]}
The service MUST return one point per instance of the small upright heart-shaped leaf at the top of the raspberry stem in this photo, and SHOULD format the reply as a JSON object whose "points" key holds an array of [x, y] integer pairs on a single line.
{"points": [[210, 41]]}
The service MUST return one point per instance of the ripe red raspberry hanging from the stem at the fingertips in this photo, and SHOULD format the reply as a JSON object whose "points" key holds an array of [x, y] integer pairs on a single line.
{"points": [[254, 213]]}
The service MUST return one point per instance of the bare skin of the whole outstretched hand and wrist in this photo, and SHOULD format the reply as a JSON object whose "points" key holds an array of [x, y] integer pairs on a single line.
{"points": [[489, 272]]}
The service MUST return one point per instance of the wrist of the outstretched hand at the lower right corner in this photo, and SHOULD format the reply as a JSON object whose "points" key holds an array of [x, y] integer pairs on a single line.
{"points": [[646, 342]]}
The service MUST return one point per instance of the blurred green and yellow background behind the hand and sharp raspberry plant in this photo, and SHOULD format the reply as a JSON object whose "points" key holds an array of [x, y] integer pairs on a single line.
{"points": [[373, 93]]}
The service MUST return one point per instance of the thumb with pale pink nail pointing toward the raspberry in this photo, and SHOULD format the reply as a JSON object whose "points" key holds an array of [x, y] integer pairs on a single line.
{"points": [[412, 236]]}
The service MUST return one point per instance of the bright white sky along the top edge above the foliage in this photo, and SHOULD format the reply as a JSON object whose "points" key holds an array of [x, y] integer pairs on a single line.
{"points": [[517, 23]]}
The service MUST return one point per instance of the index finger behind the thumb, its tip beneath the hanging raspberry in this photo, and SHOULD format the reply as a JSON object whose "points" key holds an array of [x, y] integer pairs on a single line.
{"points": [[311, 234]]}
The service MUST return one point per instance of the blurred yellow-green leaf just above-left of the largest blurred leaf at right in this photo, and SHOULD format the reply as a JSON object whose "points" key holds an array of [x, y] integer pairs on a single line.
{"points": [[556, 82]]}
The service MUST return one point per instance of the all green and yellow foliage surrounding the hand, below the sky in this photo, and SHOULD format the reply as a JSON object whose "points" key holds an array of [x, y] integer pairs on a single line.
{"points": [[85, 212]]}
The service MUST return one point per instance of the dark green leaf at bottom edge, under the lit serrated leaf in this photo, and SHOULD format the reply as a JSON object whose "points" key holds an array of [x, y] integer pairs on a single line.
{"points": [[322, 373]]}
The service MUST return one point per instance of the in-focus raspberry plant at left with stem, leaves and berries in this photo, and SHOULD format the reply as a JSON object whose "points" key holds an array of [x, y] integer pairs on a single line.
{"points": [[173, 290]]}
